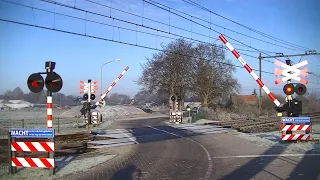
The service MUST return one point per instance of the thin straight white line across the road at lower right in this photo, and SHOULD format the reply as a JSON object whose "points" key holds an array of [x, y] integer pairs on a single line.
{"points": [[265, 155]]}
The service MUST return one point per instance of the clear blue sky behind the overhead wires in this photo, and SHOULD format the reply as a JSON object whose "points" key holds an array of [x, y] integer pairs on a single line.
{"points": [[24, 49]]}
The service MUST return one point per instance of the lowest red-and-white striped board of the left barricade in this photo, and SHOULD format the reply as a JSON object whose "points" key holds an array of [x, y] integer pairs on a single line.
{"points": [[32, 162]]}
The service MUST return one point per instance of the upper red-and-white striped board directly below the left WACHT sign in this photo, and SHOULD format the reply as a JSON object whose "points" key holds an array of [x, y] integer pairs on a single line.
{"points": [[32, 146]]}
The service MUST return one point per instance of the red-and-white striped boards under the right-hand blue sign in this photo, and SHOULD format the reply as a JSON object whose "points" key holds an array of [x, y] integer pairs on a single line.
{"points": [[295, 132]]}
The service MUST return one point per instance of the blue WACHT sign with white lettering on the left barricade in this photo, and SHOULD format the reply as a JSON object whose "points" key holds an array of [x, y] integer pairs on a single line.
{"points": [[31, 133]]}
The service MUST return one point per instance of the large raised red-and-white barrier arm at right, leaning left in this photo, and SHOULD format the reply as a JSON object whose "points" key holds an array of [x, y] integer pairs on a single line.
{"points": [[252, 73]]}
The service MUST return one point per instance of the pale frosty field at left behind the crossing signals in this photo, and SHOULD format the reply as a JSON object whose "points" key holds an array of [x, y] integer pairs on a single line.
{"points": [[64, 121]]}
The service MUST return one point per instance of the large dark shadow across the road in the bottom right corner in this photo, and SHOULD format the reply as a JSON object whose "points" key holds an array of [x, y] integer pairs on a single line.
{"points": [[307, 168]]}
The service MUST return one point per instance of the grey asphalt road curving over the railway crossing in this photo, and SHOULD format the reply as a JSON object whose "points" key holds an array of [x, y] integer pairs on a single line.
{"points": [[166, 152]]}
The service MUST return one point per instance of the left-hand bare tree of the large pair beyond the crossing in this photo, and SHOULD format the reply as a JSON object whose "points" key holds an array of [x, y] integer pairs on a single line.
{"points": [[169, 71]]}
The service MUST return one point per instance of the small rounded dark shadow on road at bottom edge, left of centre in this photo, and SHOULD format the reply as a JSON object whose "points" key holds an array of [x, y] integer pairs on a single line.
{"points": [[126, 173]]}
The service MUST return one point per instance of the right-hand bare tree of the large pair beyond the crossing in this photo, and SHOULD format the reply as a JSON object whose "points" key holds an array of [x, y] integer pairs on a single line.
{"points": [[213, 75]]}
